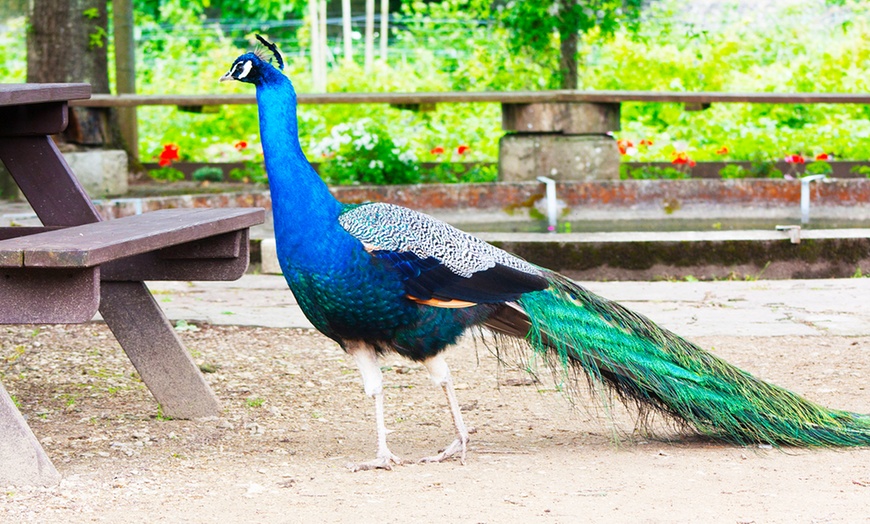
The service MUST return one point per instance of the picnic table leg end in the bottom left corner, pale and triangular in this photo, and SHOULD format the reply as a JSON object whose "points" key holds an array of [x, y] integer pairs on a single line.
{"points": [[24, 462]]}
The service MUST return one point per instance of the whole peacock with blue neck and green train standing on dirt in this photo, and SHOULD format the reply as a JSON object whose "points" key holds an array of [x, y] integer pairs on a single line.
{"points": [[380, 278]]}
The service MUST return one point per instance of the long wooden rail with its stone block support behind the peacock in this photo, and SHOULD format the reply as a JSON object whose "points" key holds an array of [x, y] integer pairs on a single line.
{"points": [[579, 118]]}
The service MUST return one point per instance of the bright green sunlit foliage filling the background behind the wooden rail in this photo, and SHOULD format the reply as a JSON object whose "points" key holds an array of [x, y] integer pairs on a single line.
{"points": [[736, 52]]}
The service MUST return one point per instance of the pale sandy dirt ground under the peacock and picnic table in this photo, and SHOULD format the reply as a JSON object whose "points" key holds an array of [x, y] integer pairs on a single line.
{"points": [[295, 416]]}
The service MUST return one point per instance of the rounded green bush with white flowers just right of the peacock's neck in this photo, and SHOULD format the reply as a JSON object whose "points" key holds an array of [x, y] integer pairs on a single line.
{"points": [[362, 152]]}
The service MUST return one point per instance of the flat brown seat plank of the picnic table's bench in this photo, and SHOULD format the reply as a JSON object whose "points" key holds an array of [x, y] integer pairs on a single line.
{"points": [[92, 244]]}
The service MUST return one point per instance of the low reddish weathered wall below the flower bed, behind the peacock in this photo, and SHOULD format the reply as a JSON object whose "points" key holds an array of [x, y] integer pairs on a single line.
{"points": [[613, 198]]}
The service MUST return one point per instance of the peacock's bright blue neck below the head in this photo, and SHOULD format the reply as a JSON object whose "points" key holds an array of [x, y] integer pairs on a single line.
{"points": [[305, 212]]}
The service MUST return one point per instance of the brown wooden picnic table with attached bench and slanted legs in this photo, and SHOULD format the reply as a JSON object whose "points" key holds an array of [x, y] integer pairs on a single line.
{"points": [[76, 264]]}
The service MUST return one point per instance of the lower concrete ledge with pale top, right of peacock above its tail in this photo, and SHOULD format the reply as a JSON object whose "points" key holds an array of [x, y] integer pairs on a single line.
{"points": [[702, 255]]}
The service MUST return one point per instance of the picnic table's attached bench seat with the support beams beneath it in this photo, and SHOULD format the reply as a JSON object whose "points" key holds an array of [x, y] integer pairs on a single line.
{"points": [[54, 276]]}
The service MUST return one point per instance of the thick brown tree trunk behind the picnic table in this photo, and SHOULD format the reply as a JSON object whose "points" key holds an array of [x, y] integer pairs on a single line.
{"points": [[67, 42]]}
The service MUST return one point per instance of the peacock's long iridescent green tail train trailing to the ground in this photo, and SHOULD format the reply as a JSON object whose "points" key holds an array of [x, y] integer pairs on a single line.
{"points": [[661, 370]]}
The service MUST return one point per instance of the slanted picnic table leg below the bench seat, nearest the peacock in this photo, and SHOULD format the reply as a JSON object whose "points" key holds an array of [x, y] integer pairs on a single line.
{"points": [[156, 351]]}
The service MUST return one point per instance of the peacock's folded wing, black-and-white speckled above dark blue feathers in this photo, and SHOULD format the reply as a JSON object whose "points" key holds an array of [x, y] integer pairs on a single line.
{"points": [[439, 262]]}
